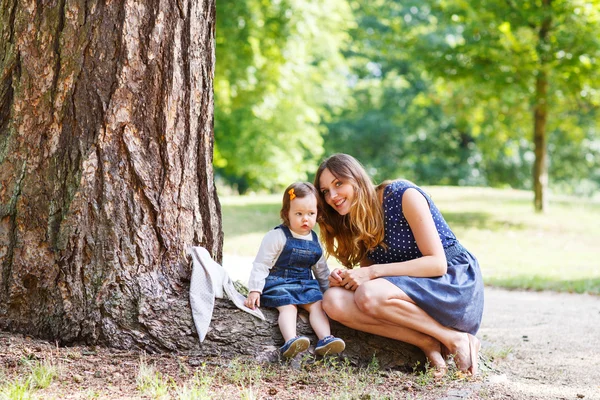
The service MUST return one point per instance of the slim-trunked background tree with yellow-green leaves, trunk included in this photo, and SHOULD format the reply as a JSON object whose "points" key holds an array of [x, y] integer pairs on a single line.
{"points": [[534, 58]]}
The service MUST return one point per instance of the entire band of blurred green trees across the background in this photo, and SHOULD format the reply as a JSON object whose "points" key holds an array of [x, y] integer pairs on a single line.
{"points": [[490, 93]]}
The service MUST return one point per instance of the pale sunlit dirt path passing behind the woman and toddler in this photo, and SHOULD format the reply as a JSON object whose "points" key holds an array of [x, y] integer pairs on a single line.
{"points": [[544, 345]]}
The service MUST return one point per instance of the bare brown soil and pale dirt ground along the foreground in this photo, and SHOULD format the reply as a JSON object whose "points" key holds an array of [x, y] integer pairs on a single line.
{"points": [[534, 346]]}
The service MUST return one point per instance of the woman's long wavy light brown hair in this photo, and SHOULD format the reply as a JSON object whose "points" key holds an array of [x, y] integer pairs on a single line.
{"points": [[350, 237]]}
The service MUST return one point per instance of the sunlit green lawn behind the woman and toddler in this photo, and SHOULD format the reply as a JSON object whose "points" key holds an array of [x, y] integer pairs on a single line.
{"points": [[516, 247]]}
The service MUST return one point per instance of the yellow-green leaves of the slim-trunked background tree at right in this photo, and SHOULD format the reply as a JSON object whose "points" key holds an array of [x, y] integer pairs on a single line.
{"points": [[491, 52]]}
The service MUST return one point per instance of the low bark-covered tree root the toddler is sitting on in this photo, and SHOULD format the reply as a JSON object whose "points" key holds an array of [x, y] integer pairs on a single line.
{"points": [[235, 333]]}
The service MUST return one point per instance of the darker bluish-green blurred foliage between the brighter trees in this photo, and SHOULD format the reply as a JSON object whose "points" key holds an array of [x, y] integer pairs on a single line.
{"points": [[394, 121]]}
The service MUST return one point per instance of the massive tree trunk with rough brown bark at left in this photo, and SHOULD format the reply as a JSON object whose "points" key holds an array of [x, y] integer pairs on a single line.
{"points": [[106, 114]]}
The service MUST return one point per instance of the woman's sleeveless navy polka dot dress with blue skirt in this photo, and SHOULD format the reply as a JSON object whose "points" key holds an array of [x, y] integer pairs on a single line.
{"points": [[455, 299]]}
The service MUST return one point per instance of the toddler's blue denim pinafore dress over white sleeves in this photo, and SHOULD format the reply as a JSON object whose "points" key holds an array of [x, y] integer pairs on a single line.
{"points": [[290, 281]]}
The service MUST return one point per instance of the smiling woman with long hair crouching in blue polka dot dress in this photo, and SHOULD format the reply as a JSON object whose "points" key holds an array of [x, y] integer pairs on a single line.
{"points": [[416, 283]]}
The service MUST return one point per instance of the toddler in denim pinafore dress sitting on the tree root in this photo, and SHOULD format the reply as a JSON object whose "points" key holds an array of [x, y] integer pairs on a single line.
{"points": [[282, 273]]}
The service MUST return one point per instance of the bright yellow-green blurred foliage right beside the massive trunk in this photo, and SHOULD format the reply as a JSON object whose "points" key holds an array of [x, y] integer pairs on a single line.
{"points": [[278, 65]]}
